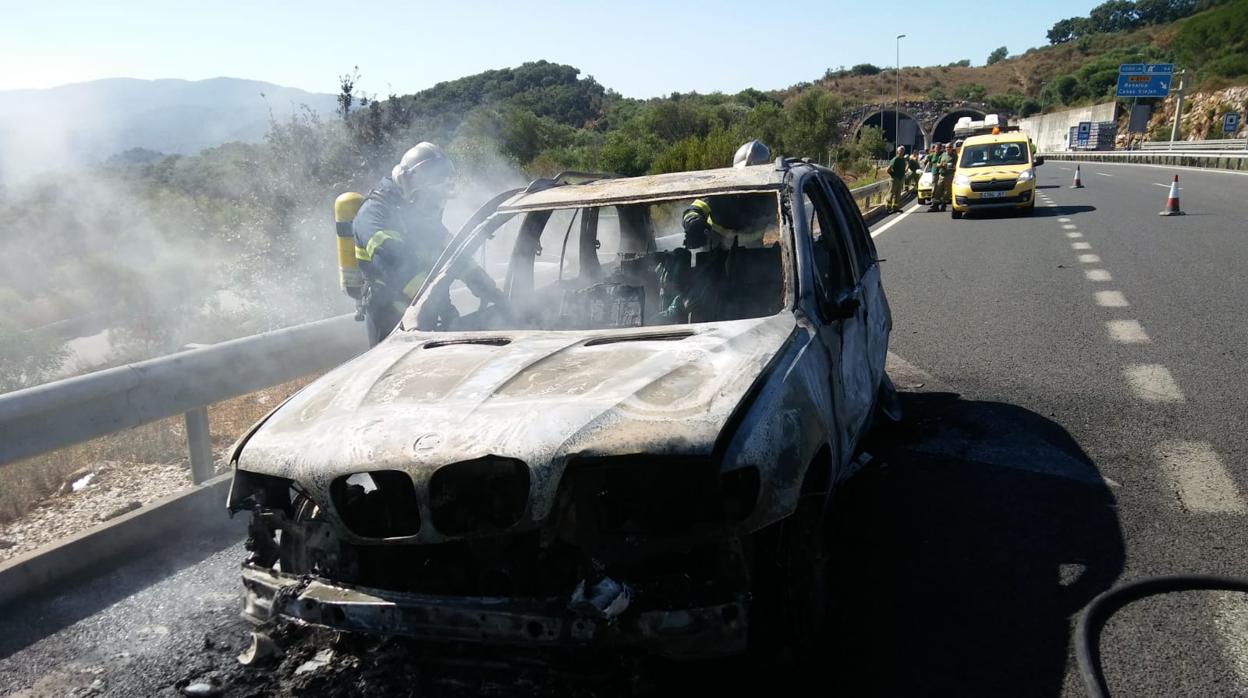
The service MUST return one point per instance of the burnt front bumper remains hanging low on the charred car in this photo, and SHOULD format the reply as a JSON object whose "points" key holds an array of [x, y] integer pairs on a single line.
{"points": [[688, 634]]}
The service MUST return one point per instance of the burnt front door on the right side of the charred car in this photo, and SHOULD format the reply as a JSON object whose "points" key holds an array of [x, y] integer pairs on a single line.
{"points": [[841, 315]]}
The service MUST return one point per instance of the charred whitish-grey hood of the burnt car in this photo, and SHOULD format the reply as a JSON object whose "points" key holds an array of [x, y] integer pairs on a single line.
{"points": [[419, 401]]}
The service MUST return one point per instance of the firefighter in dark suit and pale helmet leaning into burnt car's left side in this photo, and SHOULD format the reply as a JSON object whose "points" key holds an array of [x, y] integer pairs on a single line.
{"points": [[399, 237]]}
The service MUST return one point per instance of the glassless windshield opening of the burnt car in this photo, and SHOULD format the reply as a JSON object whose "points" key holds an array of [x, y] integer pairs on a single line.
{"points": [[615, 267]]}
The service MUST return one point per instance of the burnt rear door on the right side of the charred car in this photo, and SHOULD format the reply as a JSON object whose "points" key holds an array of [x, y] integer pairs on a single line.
{"points": [[875, 305]]}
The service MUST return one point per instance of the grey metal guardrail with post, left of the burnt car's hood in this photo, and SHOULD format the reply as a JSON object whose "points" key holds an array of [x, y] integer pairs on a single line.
{"points": [[62, 414]]}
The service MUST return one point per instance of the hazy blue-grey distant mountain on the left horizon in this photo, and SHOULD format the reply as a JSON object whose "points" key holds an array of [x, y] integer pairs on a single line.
{"points": [[87, 123]]}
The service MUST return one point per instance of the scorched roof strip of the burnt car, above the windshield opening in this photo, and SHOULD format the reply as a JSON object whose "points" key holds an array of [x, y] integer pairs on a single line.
{"points": [[651, 188]]}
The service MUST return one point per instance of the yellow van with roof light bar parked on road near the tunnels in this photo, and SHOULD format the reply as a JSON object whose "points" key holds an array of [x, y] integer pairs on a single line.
{"points": [[995, 172]]}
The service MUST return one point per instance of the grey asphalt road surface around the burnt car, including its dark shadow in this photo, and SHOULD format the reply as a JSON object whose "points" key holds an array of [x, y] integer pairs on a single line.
{"points": [[1071, 424]]}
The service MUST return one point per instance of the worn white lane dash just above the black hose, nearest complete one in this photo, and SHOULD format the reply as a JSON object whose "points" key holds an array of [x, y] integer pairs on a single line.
{"points": [[1202, 483]]}
